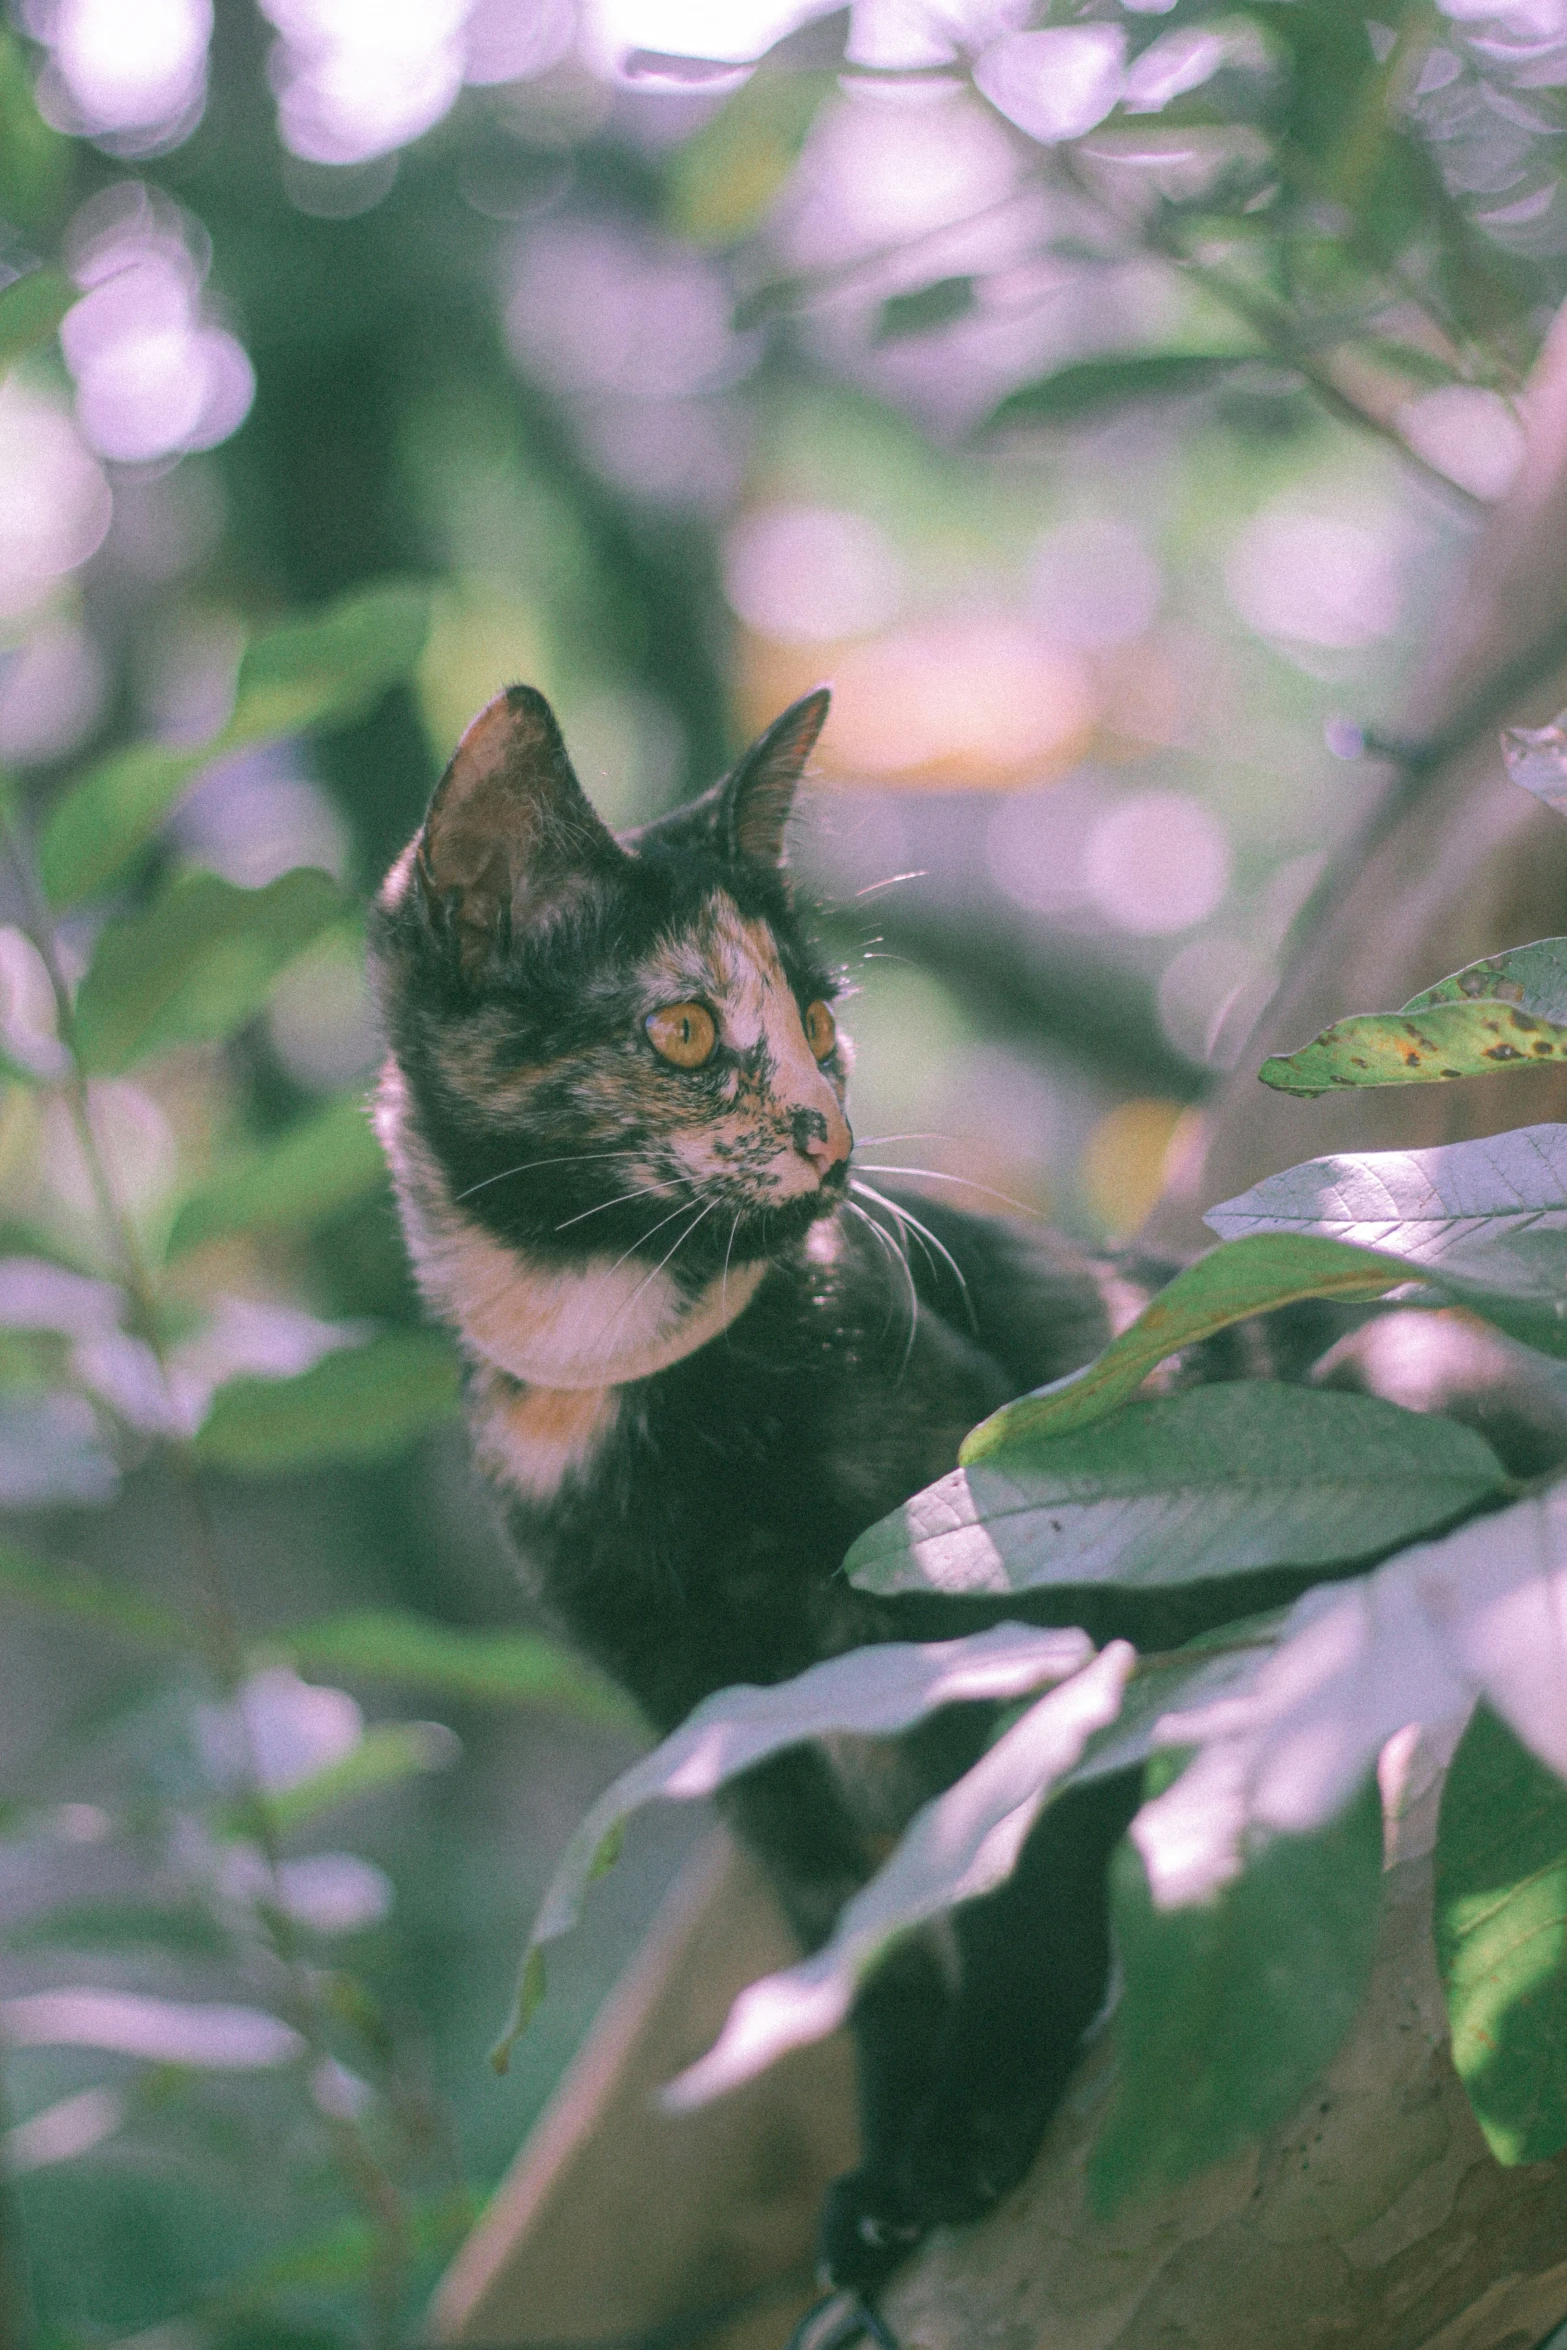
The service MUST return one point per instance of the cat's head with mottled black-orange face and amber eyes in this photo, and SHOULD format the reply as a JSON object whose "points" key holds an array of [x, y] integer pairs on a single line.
{"points": [[612, 1045]]}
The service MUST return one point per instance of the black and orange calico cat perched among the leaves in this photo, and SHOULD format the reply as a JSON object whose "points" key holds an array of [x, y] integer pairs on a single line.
{"points": [[699, 1367]]}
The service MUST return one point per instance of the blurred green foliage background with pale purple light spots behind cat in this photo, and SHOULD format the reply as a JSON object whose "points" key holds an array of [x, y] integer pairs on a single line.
{"points": [[1098, 457]]}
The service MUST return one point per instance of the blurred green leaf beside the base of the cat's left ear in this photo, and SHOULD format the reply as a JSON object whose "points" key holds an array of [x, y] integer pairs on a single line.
{"points": [[196, 965]]}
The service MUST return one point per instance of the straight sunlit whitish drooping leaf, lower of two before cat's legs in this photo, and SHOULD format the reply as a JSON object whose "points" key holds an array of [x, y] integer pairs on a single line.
{"points": [[957, 1848]]}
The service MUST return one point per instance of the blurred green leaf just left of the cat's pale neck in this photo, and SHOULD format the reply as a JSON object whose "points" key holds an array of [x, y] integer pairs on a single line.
{"points": [[354, 1406]]}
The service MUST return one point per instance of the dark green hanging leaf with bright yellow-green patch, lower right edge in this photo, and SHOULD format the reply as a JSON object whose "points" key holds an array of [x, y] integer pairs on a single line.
{"points": [[1502, 1938]]}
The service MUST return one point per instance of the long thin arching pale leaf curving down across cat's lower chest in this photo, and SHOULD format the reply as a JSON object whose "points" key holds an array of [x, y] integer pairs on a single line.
{"points": [[870, 1691]]}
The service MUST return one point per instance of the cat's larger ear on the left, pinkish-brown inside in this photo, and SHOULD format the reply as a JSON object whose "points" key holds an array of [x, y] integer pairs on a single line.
{"points": [[511, 835]]}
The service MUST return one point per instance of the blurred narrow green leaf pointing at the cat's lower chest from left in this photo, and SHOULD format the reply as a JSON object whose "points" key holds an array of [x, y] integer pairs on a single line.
{"points": [[506, 1667]]}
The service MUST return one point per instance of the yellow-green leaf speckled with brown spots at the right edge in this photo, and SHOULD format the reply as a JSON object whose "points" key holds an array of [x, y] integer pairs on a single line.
{"points": [[1427, 1045]]}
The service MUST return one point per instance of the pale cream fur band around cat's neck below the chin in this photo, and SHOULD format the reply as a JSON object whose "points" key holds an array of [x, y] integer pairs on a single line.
{"points": [[586, 1327]]}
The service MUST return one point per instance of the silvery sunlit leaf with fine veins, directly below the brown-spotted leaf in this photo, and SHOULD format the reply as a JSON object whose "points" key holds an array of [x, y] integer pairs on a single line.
{"points": [[1427, 1204]]}
